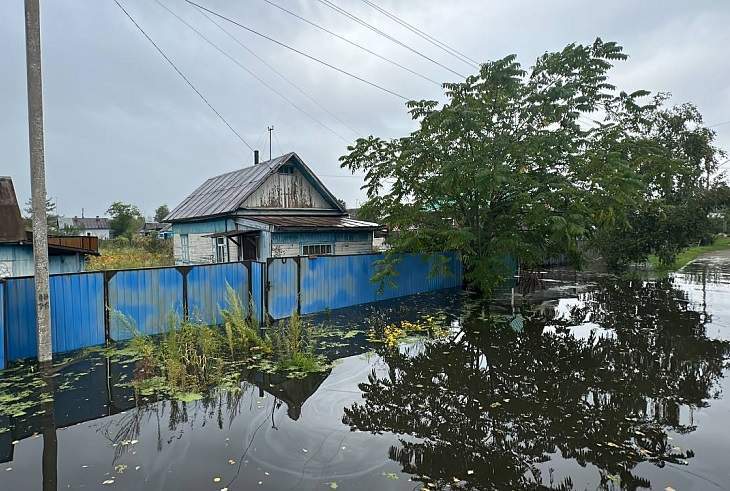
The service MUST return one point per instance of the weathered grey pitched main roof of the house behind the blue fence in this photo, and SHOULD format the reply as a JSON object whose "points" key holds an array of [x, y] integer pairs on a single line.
{"points": [[224, 194]]}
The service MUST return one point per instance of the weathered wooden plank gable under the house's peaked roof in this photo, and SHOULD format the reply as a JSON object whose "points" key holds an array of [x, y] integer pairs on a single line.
{"points": [[287, 191]]}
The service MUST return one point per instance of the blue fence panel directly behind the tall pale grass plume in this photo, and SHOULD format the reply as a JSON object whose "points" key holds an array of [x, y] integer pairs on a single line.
{"points": [[207, 290]]}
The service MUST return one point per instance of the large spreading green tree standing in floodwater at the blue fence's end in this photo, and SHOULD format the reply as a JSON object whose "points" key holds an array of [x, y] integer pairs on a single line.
{"points": [[500, 169]]}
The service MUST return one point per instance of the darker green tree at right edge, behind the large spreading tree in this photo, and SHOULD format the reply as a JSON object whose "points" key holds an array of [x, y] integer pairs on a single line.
{"points": [[674, 157]]}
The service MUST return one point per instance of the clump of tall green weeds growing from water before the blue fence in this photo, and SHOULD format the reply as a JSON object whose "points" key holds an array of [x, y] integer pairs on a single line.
{"points": [[191, 358]]}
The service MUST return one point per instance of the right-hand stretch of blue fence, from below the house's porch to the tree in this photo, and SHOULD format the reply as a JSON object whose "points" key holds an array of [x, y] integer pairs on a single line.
{"points": [[314, 284]]}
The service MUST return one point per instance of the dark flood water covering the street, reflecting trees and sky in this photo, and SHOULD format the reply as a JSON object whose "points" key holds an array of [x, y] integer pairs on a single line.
{"points": [[577, 381]]}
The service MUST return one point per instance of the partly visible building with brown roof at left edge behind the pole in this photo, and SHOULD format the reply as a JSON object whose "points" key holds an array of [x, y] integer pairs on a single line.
{"points": [[65, 254]]}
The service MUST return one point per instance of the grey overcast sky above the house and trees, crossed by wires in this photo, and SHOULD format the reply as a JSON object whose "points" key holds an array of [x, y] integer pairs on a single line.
{"points": [[121, 125]]}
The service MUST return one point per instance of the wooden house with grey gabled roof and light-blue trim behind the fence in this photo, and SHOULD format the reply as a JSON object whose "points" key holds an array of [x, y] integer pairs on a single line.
{"points": [[277, 208]]}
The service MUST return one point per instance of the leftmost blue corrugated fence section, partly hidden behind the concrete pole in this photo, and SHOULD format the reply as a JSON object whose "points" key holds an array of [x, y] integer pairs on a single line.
{"points": [[77, 314]]}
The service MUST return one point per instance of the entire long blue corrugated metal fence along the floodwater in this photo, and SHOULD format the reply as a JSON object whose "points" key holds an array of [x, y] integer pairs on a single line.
{"points": [[147, 299]]}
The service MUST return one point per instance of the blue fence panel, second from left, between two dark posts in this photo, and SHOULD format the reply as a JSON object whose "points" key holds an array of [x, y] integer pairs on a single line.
{"points": [[146, 298]]}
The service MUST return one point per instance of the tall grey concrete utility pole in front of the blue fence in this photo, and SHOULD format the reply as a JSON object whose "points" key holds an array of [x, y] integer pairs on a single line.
{"points": [[38, 177]]}
